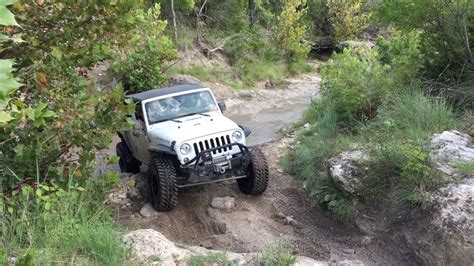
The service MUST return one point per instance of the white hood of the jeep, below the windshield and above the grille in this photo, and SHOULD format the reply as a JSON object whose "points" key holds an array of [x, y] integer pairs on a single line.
{"points": [[191, 127]]}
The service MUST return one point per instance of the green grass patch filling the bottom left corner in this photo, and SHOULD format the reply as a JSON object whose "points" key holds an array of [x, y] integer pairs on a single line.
{"points": [[53, 223]]}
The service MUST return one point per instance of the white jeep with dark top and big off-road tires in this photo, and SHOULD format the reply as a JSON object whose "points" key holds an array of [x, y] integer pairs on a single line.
{"points": [[182, 136]]}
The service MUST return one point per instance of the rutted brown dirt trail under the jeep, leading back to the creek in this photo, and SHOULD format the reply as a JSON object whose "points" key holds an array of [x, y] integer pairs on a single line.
{"points": [[255, 222]]}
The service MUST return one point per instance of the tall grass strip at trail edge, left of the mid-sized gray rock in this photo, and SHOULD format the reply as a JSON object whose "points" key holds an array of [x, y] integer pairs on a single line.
{"points": [[309, 160]]}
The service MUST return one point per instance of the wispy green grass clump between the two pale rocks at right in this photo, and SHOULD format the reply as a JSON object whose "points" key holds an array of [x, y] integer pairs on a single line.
{"points": [[398, 139]]}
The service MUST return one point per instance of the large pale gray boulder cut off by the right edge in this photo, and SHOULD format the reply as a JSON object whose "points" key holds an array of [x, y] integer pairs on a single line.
{"points": [[446, 235]]}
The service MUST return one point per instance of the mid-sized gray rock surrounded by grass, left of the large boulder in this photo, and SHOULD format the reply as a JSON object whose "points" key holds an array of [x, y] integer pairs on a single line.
{"points": [[345, 171]]}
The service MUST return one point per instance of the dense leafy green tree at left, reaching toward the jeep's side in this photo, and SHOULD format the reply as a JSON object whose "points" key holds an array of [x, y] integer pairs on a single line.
{"points": [[60, 118]]}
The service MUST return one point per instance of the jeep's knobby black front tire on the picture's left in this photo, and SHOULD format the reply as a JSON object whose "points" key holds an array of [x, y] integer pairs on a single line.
{"points": [[162, 183]]}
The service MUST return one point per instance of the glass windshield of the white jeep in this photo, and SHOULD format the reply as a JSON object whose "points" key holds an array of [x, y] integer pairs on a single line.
{"points": [[178, 106]]}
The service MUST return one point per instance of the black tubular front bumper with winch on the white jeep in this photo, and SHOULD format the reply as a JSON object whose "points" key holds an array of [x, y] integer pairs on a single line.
{"points": [[204, 168]]}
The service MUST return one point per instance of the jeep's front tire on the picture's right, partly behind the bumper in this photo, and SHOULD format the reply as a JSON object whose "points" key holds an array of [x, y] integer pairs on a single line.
{"points": [[256, 181]]}
